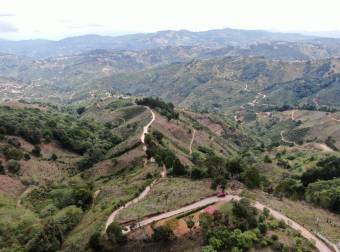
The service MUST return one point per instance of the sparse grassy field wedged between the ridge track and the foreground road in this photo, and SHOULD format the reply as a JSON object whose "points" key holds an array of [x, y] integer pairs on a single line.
{"points": [[170, 193]]}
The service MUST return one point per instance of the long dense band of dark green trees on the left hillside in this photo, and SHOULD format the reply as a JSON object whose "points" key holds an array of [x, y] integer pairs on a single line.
{"points": [[72, 133]]}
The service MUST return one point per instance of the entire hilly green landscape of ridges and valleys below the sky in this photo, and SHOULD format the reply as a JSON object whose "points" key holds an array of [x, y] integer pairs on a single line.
{"points": [[171, 141]]}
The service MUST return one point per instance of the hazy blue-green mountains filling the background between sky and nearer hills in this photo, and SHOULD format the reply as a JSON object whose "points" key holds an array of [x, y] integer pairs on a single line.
{"points": [[198, 70]]}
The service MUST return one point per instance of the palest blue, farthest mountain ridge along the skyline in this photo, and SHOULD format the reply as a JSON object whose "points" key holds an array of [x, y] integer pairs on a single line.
{"points": [[212, 39]]}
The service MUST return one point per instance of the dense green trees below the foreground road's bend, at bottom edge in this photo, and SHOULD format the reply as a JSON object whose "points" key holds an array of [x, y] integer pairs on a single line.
{"points": [[241, 229]]}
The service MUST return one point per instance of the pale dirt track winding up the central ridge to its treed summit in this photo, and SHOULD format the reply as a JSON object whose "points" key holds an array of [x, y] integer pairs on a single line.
{"points": [[148, 188]]}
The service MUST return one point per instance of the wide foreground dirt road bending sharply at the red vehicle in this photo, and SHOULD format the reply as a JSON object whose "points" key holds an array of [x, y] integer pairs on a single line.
{"points": [[319, 244]]}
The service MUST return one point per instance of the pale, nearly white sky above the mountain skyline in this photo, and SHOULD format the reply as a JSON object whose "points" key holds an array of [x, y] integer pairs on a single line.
{"points": [[55, 19]]}
